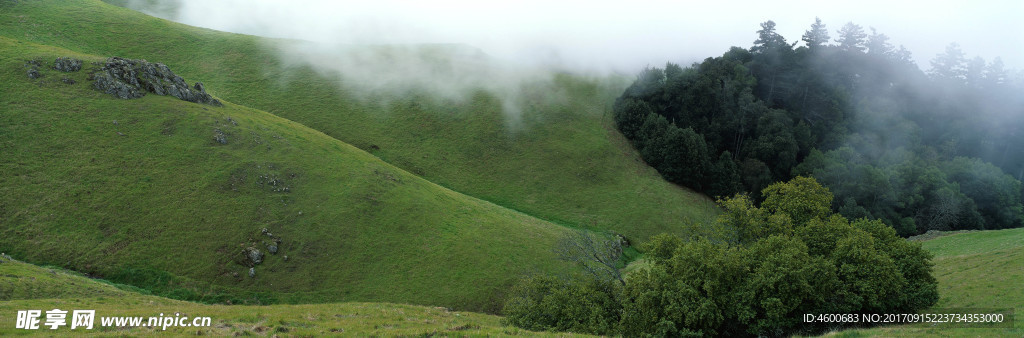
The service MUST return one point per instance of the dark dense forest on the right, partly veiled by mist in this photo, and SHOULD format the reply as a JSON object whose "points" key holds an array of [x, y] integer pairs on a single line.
{"points": [[919, 151]]}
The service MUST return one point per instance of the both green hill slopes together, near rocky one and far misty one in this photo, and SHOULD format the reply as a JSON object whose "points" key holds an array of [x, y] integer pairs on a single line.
{"points": [[450, 209]]}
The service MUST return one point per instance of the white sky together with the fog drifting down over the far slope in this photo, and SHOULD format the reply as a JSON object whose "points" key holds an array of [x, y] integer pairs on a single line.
{"points": [[453, 49]]}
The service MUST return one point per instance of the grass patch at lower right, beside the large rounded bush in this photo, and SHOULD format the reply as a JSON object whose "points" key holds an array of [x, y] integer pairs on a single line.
{"points": [[975, 270]]}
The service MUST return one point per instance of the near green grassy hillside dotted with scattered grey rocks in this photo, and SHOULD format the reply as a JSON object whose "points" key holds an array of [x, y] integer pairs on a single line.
{"points": [[97, 185]]}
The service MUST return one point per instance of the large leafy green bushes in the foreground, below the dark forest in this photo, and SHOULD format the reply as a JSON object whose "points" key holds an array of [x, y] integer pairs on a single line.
{"points": [[775, 270]]}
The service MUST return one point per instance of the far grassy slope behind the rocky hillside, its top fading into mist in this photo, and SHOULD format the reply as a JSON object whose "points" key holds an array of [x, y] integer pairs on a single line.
{"points": [[565, 163]]}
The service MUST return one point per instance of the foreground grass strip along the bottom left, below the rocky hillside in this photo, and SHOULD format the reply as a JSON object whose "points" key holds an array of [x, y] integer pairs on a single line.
{"points": [[30, 287]]}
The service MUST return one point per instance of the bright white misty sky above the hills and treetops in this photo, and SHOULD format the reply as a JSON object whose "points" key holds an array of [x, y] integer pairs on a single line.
{"points": [[620, 35]]}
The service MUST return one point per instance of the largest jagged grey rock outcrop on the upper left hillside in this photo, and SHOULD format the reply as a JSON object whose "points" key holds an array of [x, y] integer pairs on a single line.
{"points": [[129, 79]]}
